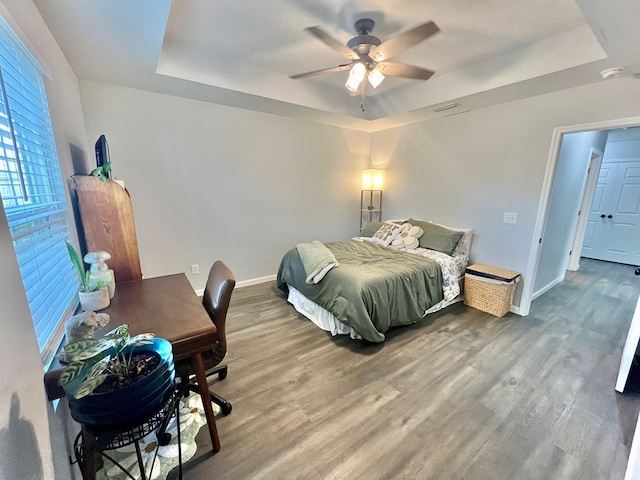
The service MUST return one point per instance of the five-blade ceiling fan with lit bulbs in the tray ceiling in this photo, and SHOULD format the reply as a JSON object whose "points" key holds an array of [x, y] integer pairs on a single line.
{"points": [[368, 54]]}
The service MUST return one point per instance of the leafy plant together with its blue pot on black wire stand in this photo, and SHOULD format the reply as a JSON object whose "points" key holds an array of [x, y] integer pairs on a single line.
{"points": [[117, 379]]}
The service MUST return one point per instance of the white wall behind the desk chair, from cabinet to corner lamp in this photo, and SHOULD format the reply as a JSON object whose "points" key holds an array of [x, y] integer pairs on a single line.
{"points": [[214, 182]]}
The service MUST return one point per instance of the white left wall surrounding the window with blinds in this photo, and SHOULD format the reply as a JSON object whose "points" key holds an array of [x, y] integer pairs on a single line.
{"points": [[32, 439]]}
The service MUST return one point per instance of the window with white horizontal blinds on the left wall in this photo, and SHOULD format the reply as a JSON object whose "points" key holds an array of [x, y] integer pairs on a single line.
{"points": [[33, 192]]}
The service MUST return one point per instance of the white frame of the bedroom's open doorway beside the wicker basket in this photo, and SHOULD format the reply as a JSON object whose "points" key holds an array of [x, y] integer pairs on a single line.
{"points": [[545, 195]]}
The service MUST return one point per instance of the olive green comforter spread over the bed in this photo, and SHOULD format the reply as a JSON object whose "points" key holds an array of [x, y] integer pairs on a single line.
{"points": [[374, 287]]}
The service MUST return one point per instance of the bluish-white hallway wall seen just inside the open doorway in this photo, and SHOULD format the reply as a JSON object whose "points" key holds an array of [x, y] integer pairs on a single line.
{"points": [[564, 204]]}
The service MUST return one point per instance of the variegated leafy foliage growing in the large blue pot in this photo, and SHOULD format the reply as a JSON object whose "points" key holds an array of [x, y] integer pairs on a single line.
{"points": [[93, 360]]}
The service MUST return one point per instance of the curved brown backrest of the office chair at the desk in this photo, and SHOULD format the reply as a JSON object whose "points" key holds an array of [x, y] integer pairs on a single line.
{"points": [[216, 299]]}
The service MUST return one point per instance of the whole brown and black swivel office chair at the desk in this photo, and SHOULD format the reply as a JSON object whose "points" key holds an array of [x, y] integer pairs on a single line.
{"points": [[216, 299]]}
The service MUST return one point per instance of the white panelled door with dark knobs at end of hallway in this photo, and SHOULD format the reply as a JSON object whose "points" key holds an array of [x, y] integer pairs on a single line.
{"points": [[613, 229]]}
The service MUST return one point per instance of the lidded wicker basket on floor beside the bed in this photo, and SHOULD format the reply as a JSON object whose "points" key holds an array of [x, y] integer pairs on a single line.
{"points": [[489, 289]]}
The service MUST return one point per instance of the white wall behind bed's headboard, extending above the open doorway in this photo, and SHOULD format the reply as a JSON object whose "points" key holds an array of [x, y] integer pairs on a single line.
{"points": [[467, 170]]}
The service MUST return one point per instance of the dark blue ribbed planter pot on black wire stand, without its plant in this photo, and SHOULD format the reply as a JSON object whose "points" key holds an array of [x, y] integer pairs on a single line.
{"points": [[131, 403]]}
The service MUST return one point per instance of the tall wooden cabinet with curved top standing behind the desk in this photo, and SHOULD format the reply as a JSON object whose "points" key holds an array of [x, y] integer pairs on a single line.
{"points": [[107, 222]]}
